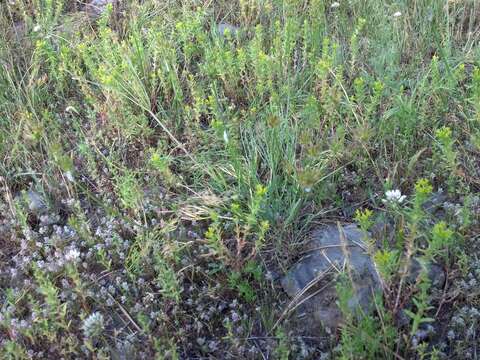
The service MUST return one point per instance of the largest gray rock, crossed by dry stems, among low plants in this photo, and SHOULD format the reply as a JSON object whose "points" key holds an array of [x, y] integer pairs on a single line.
{"points": [[331, 250]]}
